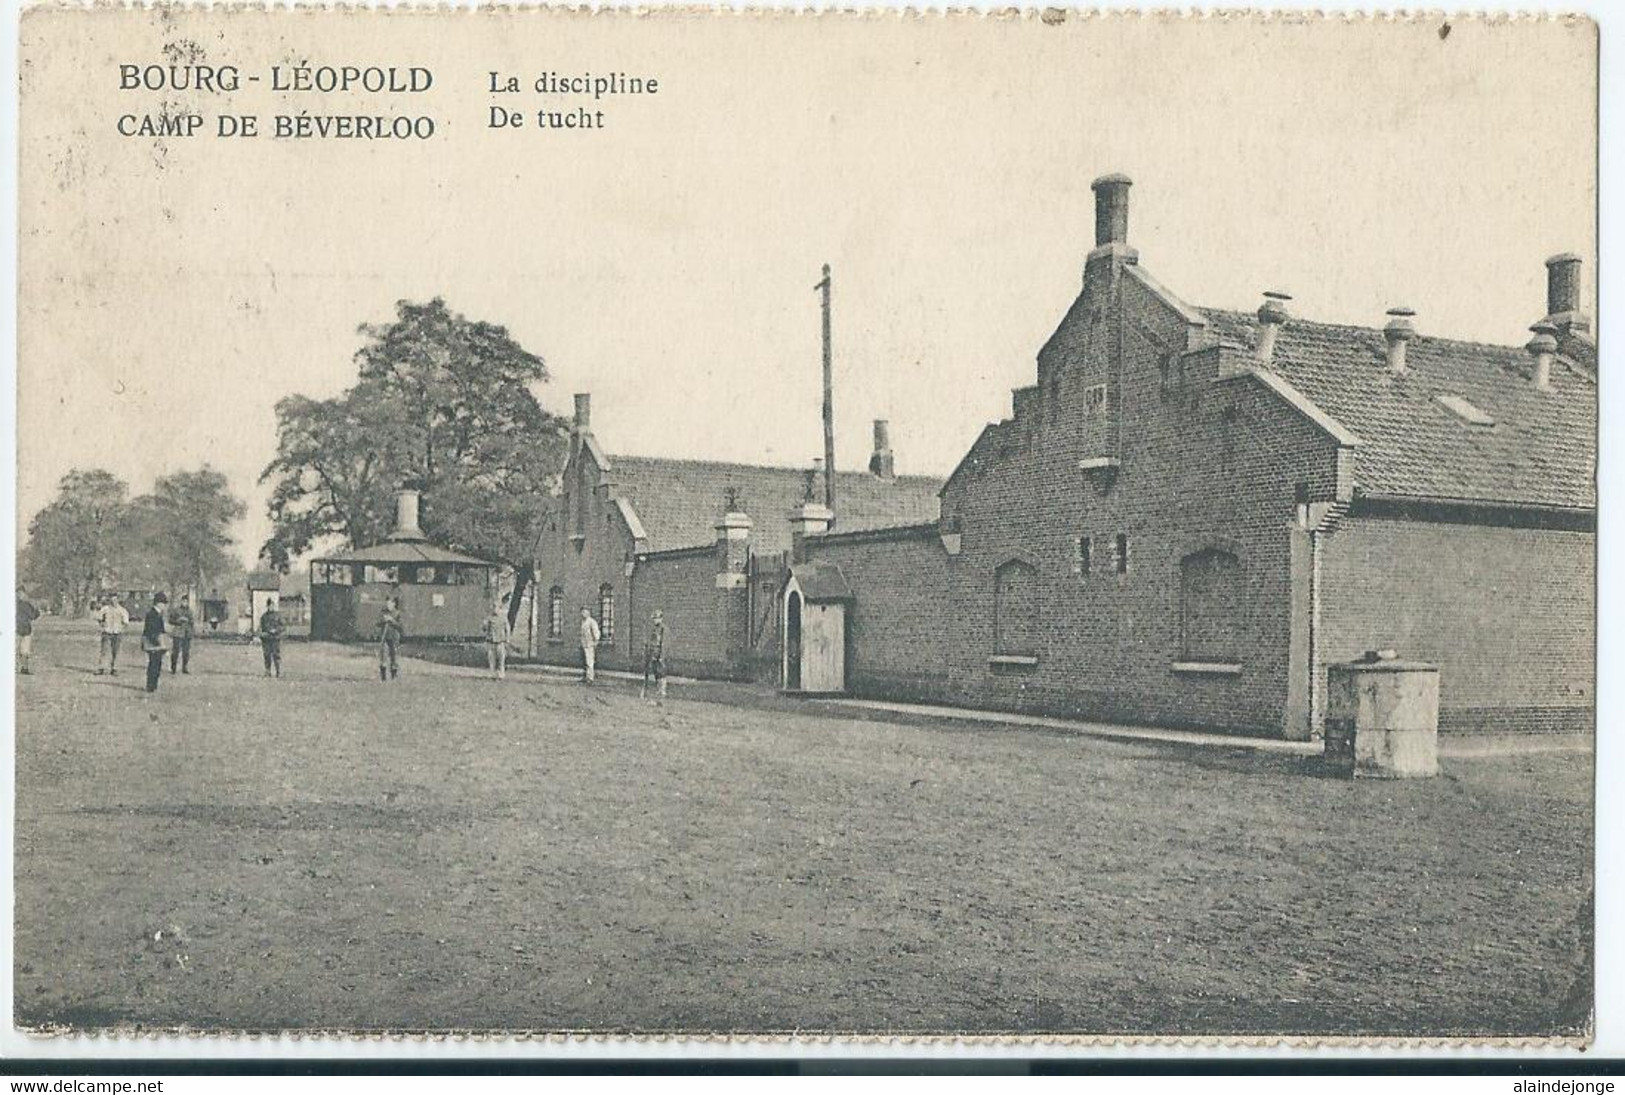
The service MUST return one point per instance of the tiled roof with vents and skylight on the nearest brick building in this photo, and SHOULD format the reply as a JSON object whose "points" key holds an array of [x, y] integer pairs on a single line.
{"points": [[1541, 449]]}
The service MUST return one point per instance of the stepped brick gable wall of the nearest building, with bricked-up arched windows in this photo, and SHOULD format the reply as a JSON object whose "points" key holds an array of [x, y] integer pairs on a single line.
{"points": [[1205, 464]]}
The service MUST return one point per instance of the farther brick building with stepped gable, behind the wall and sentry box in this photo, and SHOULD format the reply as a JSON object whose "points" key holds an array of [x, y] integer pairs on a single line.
{"points": [[708, 543]]}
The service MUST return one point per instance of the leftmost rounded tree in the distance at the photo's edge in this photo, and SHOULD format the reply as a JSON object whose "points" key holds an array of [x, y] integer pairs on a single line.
{"points": [[72, 543]]}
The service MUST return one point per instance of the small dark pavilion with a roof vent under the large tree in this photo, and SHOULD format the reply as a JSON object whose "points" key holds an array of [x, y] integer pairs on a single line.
{"points": [[443, 594]]}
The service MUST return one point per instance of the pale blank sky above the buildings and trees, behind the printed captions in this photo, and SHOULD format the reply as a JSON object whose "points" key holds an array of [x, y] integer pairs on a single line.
{"points": [[170, 296]]}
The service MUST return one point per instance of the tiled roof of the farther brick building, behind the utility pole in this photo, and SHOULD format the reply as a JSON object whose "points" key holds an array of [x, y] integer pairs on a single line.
{"points": [[680, 501]]}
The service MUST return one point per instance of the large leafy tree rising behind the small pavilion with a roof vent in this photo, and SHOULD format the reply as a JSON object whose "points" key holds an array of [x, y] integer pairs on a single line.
{"points": [[443, 402]]}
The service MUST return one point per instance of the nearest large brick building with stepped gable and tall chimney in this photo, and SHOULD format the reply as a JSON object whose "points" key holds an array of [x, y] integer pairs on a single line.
{"points": [[1195, 511]]}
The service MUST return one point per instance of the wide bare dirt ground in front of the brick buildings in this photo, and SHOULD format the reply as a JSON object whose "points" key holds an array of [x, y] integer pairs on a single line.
{"points": [[448, 852]]}
